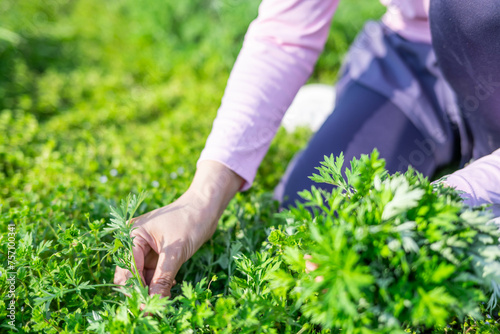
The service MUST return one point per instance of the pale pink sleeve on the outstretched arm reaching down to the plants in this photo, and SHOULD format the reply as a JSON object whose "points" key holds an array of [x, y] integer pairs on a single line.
{"points": [[278, 55]]}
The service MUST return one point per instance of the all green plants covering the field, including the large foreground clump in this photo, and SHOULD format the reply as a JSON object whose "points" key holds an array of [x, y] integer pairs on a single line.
{"points": [[102, 99]]}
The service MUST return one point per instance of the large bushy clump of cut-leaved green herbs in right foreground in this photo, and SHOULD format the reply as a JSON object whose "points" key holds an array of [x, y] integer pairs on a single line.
{"points": [[392, 251]]}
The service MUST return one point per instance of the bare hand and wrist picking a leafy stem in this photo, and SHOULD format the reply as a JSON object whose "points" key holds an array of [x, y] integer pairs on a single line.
{"points": [[167, 237]]}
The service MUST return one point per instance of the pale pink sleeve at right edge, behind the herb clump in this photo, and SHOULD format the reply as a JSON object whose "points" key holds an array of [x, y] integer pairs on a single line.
{"points": [[480, 181]]}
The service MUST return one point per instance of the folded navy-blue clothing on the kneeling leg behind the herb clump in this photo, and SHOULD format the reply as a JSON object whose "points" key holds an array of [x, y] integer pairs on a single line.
{"points": [[392, 97]]}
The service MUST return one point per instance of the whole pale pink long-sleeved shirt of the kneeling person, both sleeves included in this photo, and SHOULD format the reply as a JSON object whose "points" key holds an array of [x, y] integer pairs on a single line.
{"points": [[280, 50]]}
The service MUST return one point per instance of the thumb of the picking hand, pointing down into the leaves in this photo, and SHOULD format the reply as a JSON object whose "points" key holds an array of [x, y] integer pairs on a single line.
{"points": [[164, 277]]}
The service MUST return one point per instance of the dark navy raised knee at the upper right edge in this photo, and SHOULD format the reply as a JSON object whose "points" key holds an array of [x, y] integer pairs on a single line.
{"points": [[466, 39]]}
